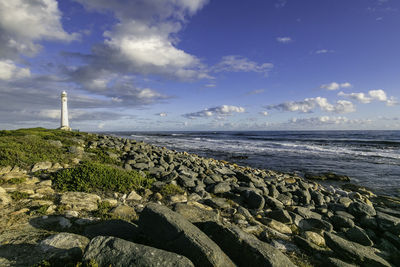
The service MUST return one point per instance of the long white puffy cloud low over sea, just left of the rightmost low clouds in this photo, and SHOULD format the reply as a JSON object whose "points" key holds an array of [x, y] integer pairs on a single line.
{"points": [[308, 105]]}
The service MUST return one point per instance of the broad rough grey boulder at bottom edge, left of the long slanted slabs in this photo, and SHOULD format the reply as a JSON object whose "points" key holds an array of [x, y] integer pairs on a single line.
{"points": [[112, 251]]}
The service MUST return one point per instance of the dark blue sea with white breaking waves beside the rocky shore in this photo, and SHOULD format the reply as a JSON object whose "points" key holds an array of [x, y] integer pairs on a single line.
{"points": [[369, 158]]}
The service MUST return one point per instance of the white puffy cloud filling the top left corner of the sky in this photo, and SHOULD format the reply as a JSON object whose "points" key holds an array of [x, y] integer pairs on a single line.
{"points": [[24, 23]]}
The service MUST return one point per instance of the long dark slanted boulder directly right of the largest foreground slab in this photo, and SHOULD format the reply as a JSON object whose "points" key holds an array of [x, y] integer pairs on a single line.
{"points": [[245, 249]]}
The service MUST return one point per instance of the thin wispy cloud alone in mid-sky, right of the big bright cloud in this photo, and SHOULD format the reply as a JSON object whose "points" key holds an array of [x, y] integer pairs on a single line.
{"points": [[235, 63]]}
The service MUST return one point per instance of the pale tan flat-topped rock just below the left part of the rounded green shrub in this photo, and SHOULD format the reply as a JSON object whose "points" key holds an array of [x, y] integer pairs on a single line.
{"points": [[80, 201]]}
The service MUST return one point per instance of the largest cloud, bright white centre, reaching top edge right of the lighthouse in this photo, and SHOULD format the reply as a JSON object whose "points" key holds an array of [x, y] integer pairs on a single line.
{"points": [[144, 39]]}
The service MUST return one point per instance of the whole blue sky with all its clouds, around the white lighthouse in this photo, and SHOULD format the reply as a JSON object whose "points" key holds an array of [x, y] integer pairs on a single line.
{"points": [[141, 65]]}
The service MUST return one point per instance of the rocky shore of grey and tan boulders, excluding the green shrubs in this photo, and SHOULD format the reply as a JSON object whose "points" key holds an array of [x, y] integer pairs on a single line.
{"points": [[196, 212]]}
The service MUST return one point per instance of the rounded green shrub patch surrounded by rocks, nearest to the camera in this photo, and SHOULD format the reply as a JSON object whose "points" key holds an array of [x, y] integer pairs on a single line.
{"points": [[94, 177]]}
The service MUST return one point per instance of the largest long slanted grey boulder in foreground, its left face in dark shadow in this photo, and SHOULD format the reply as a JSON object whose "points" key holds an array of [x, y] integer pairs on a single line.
{"points": [[170, 230]]}
